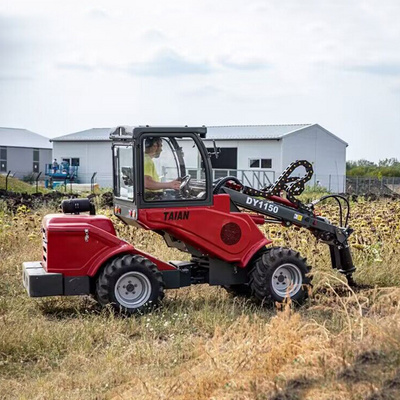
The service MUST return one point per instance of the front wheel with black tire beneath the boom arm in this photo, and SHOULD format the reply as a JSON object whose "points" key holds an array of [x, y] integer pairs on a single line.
{"points": [[280, 273]]}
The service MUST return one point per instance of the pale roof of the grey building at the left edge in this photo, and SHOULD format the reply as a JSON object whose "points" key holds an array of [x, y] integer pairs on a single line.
{"points": [[14, 137]]}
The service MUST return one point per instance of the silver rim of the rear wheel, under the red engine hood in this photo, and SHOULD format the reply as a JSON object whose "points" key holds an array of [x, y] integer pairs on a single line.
{"points": [[133, 289]]}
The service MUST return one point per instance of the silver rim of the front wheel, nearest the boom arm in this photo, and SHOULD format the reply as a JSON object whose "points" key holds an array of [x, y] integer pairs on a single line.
{"points": [[287, 280]]}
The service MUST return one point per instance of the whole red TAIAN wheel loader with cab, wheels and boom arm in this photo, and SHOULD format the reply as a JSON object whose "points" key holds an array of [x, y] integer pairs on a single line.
{"points": [[163, 182]]}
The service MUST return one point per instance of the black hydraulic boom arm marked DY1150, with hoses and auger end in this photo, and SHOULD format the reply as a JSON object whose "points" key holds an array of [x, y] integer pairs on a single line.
{"points": [[290, 211]]}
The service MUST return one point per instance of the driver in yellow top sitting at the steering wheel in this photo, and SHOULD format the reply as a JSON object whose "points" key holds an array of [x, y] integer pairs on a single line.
{"points": [[153, 149]]}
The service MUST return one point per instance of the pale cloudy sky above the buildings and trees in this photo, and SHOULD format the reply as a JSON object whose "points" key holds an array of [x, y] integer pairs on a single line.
{"points": [[67, 66]]}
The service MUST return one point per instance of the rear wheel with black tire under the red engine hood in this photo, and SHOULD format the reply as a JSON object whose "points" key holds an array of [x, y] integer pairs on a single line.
{"points": [[131, 284]]}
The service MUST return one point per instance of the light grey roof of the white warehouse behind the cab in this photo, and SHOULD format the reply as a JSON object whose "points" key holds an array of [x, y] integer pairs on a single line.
{"points": [[235, 132]]}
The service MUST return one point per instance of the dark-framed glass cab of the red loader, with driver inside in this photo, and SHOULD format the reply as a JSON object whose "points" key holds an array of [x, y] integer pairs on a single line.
{"points": [[159, 168]]}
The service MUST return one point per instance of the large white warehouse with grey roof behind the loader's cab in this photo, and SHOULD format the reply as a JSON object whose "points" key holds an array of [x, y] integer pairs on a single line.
{"points": [[256, 154]]}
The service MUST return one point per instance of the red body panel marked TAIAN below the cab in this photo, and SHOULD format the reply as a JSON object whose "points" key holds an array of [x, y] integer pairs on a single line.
{"points": [[202, 229]]}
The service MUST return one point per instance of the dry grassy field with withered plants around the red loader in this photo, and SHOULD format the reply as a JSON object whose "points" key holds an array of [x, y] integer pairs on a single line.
{"points": [[204, 344]]}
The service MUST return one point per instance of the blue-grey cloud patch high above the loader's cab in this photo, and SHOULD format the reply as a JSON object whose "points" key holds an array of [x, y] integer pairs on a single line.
{"points": [[168, 64]]}
